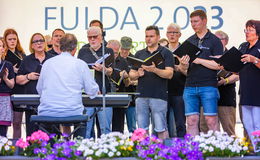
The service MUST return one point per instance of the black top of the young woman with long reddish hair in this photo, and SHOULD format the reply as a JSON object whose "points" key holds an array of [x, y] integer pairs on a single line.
{"points": [[18, 89]]}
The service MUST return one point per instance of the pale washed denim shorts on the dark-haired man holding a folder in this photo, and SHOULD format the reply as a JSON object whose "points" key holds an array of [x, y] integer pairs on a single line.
{"points": [[158, 108]]}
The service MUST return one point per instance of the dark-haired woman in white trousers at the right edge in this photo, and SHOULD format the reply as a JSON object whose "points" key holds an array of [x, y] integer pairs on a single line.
{"points": [[250, 78]]}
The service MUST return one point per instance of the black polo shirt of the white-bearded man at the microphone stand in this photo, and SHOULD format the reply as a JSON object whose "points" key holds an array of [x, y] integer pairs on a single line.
{"points": [[86, 55]]}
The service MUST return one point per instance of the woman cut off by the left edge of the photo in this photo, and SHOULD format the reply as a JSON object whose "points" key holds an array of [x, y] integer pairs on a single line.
{"points": [[6, 85]]}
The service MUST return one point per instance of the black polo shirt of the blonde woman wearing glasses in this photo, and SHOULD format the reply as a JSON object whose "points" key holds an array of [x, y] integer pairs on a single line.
{"points": [[29, 64]]}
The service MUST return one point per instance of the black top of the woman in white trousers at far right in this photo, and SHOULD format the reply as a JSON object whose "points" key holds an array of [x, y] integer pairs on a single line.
{"points": [[250, 77]]}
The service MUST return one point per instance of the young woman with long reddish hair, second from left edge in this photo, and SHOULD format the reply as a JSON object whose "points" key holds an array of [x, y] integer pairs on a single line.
{"points": [[15, 54]]}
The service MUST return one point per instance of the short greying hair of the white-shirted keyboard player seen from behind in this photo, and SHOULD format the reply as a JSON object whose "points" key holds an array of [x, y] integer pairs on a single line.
{"points": [[68, 43]]}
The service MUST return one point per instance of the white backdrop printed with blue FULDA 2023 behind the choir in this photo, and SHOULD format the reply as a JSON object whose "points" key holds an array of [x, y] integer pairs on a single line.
{"points": [[124, 17]]}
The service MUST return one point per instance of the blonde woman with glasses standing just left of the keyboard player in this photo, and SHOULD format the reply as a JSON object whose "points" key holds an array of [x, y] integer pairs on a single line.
{"points": [[29, 72]]}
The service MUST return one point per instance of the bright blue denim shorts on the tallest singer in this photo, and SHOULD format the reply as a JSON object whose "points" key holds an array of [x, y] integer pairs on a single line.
{"points": [[194, 97]]}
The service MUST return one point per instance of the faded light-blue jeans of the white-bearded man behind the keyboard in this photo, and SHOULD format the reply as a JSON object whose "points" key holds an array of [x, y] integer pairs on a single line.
{"points": [[104, 118]]}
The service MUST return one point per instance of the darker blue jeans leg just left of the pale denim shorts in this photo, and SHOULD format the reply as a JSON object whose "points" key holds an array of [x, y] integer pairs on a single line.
{"points": [[130, 118]]}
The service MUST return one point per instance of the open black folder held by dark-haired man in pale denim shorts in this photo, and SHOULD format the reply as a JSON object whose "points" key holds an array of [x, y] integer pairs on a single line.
{"points": [[157, 58]]}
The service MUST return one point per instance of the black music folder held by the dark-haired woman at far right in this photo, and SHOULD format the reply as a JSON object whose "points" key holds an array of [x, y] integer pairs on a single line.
{"points": [[231, 60]]}
